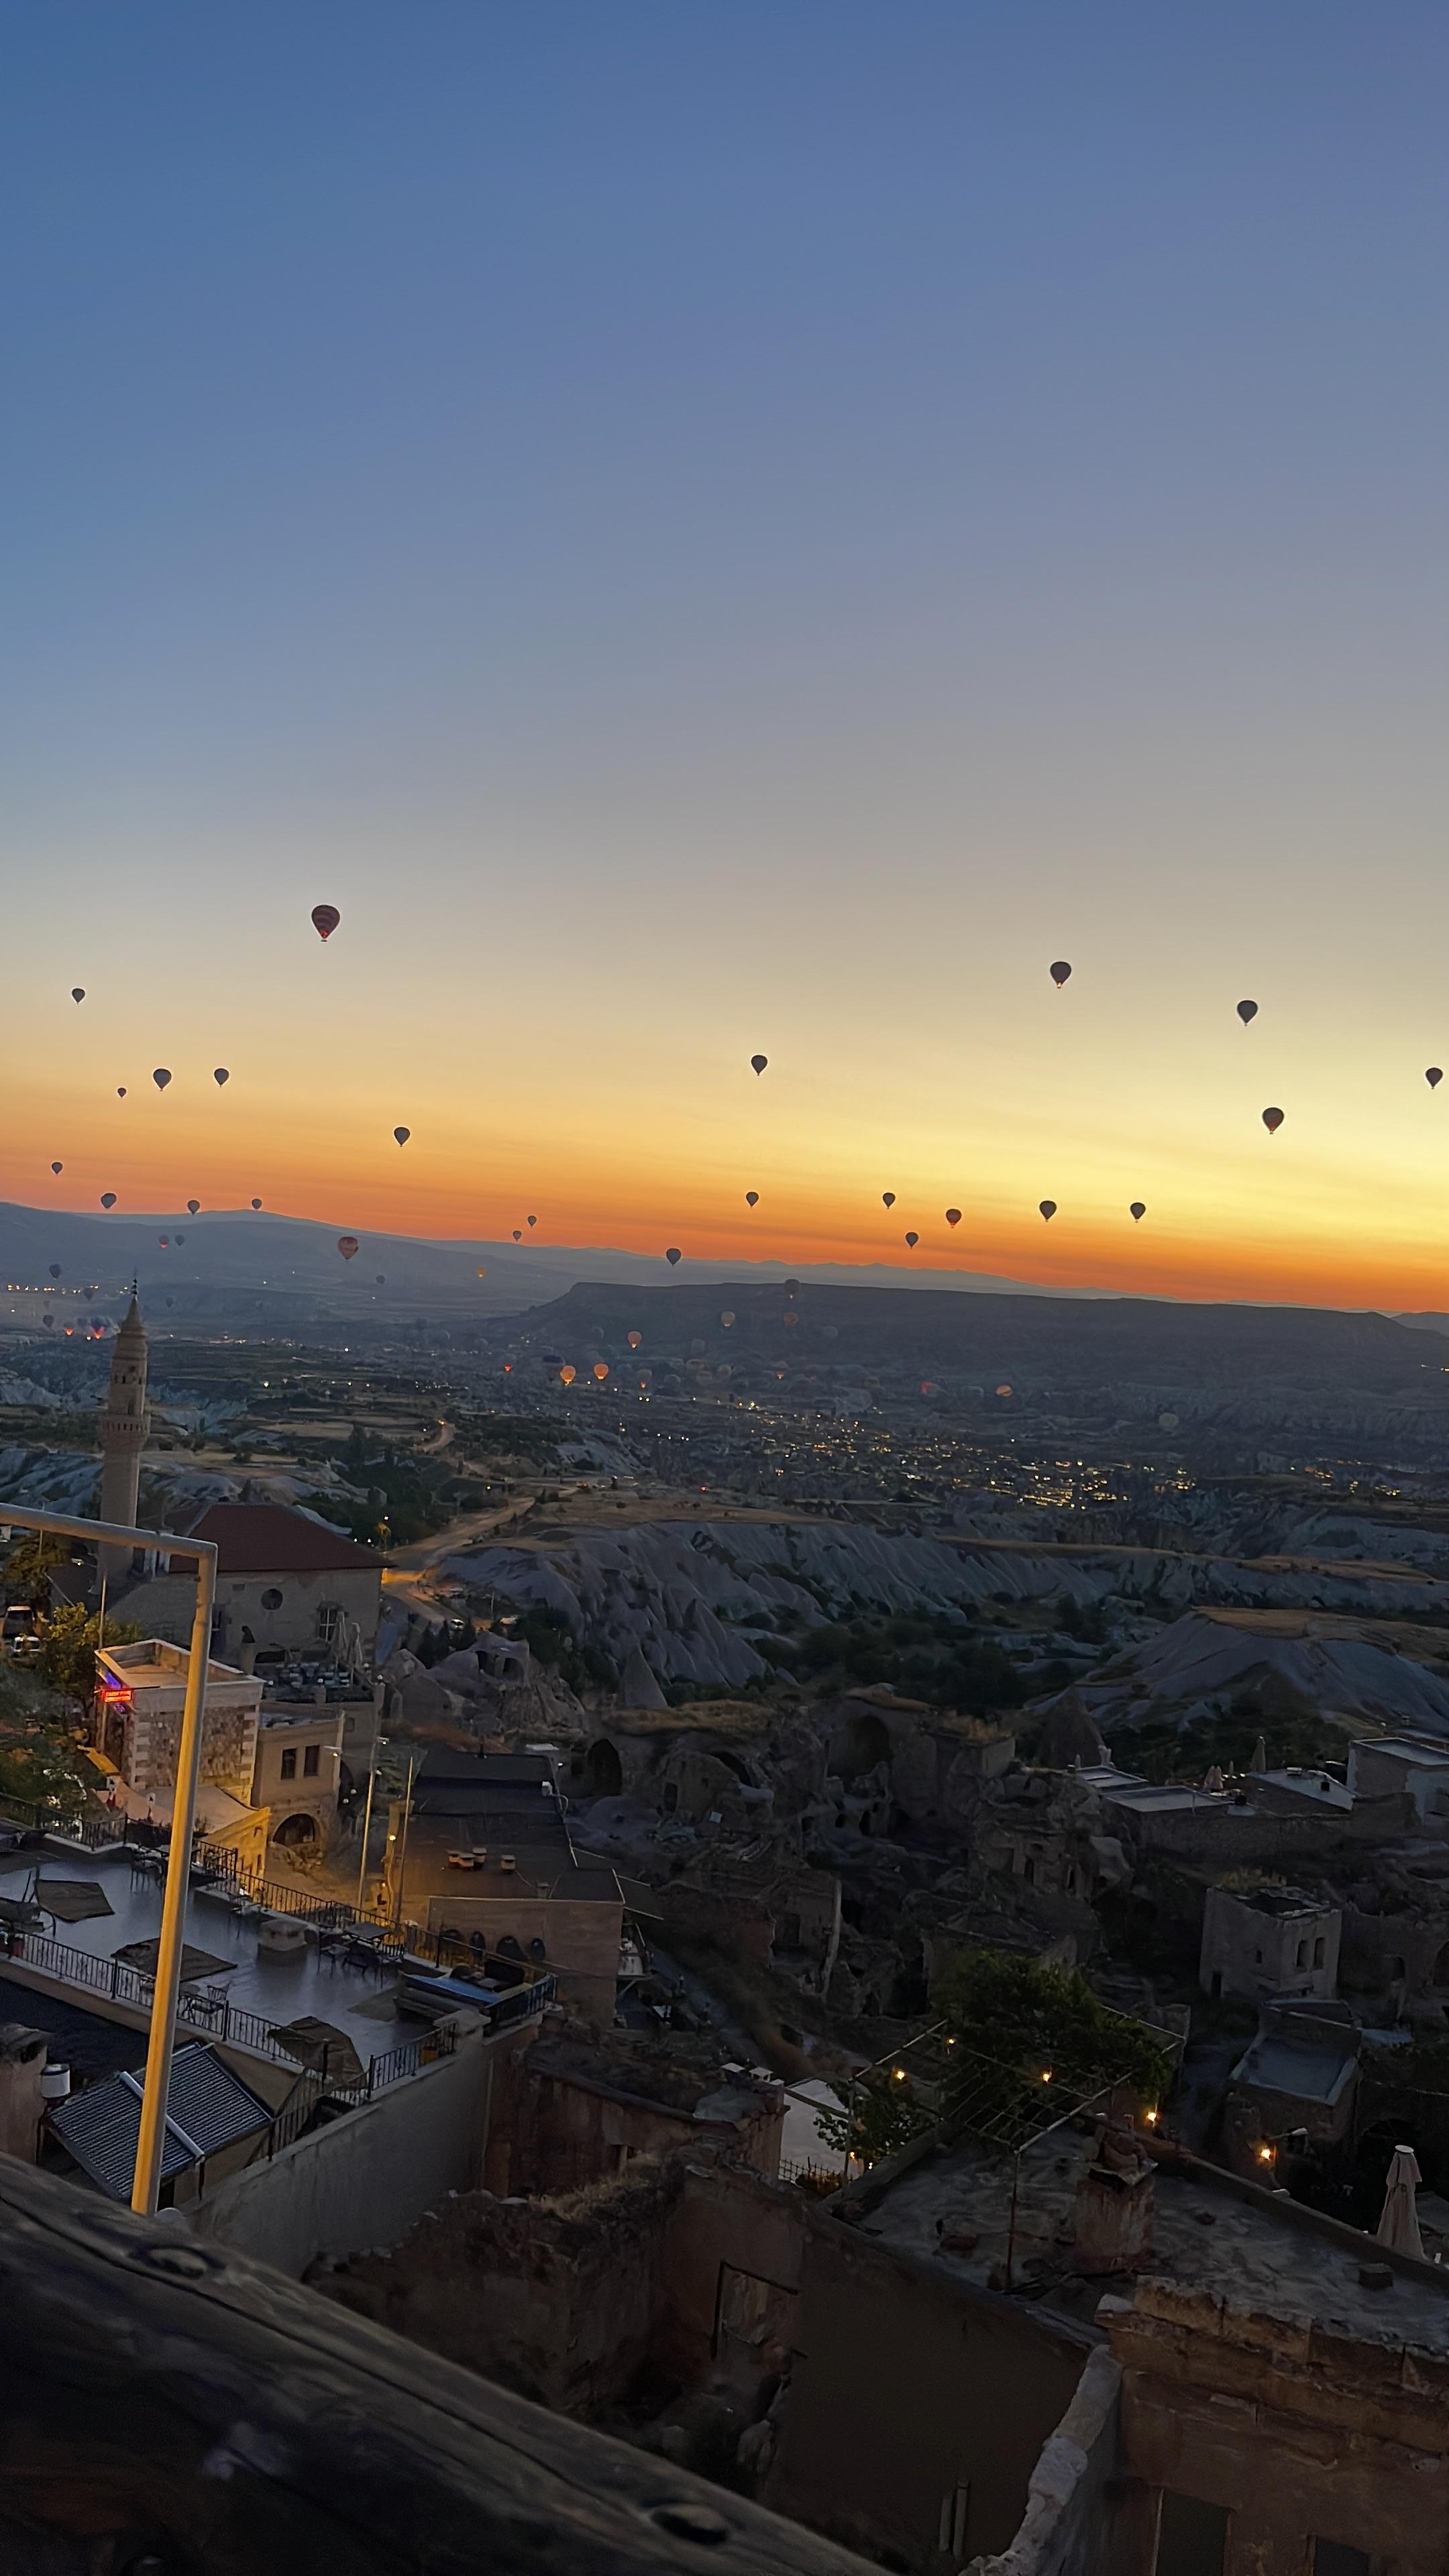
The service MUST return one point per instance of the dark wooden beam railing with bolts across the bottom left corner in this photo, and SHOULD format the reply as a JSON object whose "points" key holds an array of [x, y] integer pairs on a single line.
{"points": [[174, 2407]]}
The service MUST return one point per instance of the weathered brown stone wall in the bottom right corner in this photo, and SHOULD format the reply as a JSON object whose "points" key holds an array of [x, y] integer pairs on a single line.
{"points": [[1298, 2430]]}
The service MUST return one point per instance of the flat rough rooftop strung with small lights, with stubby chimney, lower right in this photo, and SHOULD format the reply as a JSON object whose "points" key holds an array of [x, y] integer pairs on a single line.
{"points": [[1259, 2250]]}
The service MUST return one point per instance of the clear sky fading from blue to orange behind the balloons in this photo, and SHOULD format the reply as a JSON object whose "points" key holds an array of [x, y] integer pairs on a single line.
{"points": [[736, 527]]}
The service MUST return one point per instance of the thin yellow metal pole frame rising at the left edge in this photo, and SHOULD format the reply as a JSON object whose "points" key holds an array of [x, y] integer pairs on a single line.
{"points": [[202, 1552]]}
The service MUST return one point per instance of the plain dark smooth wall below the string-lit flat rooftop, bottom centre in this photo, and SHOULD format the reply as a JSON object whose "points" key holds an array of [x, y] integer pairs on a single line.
{"points": [[909, 2387]]}
